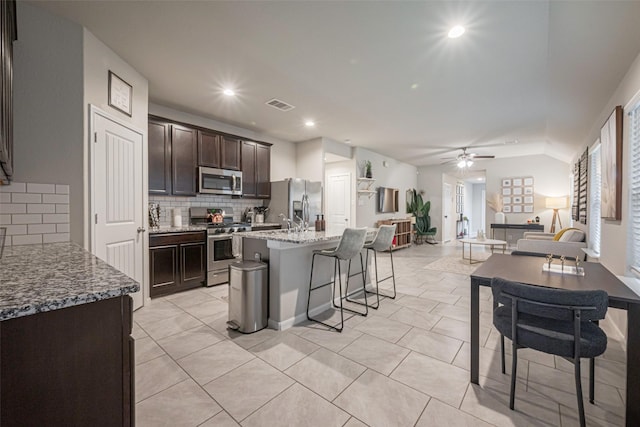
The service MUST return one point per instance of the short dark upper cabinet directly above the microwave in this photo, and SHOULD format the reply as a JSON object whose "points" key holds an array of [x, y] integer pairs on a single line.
{"points": [[218, 151]]}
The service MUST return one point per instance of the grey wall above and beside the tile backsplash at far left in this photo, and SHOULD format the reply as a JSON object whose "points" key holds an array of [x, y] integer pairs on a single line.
{"points": [[48, 106]]}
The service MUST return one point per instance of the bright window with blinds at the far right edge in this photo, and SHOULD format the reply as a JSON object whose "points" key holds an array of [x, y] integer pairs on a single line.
{"points": [[634, 190]]}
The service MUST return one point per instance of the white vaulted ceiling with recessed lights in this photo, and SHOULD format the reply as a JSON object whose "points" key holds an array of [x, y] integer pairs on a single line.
{"points": [[383, 75]]}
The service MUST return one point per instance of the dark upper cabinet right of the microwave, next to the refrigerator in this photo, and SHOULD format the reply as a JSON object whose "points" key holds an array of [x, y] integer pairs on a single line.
{"points": [[256, 170]]}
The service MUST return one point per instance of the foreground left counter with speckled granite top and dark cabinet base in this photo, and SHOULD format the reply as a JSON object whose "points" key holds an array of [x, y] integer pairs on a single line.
{"points": [[66, 354]]}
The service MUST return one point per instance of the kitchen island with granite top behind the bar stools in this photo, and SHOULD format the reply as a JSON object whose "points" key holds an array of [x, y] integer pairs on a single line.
{"points": [[289, 256]]}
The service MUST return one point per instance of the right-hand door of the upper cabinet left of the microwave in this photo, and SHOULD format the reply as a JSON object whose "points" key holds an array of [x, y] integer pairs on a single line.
{"points": [[184, 158]]}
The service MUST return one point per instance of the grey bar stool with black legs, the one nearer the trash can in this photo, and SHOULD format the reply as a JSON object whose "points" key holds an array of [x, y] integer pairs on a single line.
{"points": [[350, 245]]}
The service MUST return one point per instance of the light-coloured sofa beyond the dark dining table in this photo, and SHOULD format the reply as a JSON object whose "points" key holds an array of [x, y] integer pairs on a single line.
{"points": [[568, 242]]}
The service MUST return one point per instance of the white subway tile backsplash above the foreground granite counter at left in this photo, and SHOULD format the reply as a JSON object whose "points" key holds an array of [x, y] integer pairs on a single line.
{"points": [[34, 213]]}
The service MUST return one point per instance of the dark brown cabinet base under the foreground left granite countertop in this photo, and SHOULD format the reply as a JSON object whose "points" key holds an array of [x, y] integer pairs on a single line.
{"points": [[69, 367]]}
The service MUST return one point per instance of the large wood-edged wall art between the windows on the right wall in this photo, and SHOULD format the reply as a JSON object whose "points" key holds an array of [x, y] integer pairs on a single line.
{"points": [[611, 152]]}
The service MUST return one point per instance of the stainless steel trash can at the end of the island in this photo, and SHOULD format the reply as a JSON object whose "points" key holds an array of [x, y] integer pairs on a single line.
{"points": [[248, 296]]}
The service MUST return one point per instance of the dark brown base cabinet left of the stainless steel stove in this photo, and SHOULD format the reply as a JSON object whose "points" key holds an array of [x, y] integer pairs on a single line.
{"points": [[177, 262]]}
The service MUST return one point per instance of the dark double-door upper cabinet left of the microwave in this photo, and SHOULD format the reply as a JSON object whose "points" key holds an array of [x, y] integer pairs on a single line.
{"points": [[172, 158]]}
